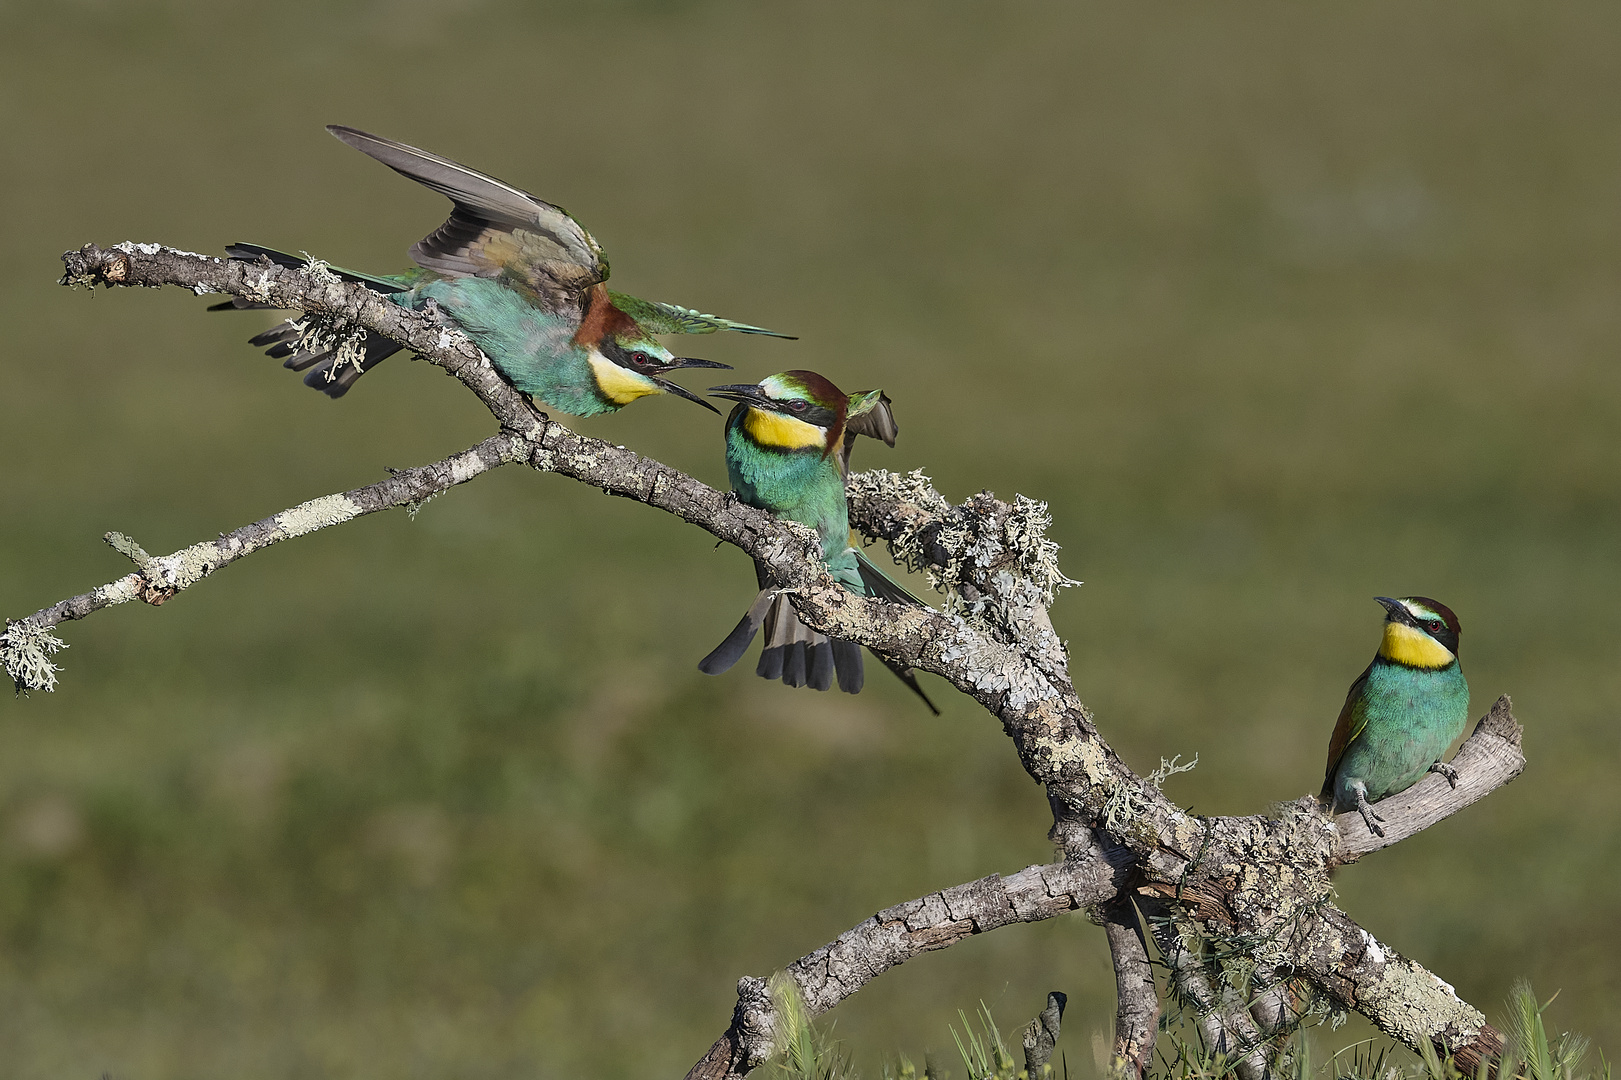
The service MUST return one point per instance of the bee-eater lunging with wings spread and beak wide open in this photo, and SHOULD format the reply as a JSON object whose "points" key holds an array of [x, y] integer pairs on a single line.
{"points": [[526, 283]]}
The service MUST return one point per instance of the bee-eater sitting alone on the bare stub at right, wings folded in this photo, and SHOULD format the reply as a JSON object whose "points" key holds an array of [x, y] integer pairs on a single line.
{"points": [[1403, 714]]}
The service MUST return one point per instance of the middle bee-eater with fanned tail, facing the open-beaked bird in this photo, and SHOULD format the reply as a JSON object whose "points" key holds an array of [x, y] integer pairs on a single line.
{"points": [[789, 453]]}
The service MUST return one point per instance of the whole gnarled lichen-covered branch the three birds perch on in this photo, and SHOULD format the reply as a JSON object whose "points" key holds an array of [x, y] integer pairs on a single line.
{"points": [[1255, 888]]}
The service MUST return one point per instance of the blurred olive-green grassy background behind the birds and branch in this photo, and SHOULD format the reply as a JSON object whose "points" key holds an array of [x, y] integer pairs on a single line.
{"points": [[1280, 307]]}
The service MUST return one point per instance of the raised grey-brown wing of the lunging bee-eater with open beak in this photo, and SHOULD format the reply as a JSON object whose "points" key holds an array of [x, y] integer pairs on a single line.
{"points": [[495, 229]]}
